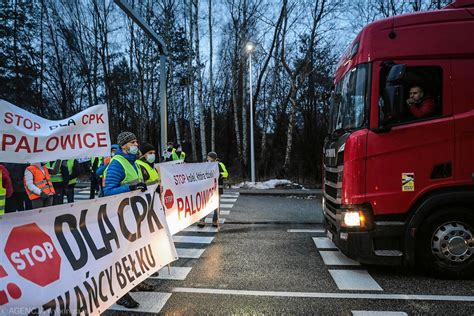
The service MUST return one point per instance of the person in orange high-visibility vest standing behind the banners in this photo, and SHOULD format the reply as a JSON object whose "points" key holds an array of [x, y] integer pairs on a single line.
{"points": [[38, 185]]}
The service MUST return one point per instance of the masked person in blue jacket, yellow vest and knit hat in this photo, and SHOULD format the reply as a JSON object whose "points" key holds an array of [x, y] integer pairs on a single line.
{"points": [[123, 175]]}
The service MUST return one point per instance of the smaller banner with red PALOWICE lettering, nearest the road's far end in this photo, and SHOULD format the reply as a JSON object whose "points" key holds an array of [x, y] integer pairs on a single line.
{"points": [[190, 192]]}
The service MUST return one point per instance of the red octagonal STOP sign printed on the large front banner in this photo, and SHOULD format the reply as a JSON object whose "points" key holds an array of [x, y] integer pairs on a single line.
{"points": [[33, 255]]}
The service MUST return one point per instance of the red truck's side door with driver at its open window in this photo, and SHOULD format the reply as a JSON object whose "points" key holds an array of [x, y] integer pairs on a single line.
{"points": [[415, 152]]}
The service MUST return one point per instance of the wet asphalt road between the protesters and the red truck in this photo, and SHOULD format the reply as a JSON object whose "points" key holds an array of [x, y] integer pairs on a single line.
{"points": [[264, 260]]}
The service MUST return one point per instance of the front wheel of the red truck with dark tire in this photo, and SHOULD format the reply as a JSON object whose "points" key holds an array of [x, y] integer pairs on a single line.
{"points": [[446, 244]]}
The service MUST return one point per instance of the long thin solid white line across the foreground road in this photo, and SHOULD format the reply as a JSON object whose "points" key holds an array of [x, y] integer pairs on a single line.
{"points": [[367, 296]]}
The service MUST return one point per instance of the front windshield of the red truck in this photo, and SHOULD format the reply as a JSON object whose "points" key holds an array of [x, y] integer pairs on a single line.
{"points": [[349, 100]]}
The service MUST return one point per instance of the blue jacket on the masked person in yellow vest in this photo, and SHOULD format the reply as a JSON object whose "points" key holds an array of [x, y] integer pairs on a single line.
{"points": [[115, 175]]}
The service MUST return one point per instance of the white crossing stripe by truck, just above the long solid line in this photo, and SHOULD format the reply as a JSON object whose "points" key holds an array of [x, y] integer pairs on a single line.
{"points": [[359, 280]]}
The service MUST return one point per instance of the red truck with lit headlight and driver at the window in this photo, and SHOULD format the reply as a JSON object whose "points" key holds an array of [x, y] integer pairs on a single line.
{"points": [[398, 180]]}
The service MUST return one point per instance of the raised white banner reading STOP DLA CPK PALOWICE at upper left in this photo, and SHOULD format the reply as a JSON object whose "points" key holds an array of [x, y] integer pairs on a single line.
{"points": [[26, 137]]}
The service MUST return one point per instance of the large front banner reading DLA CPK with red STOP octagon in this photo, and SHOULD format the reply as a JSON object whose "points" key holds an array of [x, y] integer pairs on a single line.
{"points": [[82, 257]]}
